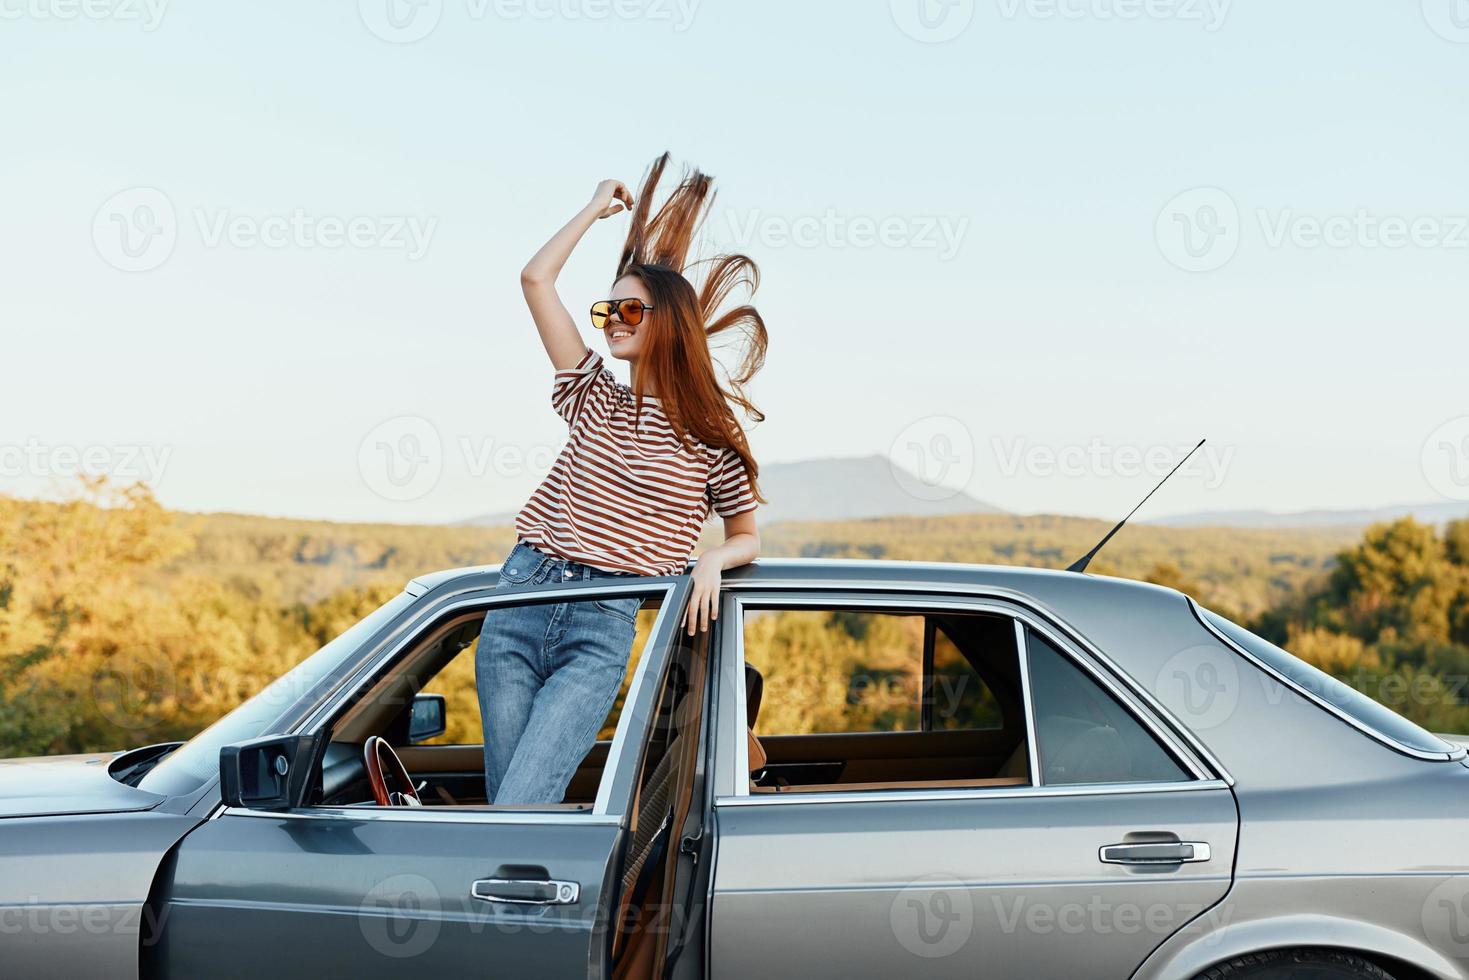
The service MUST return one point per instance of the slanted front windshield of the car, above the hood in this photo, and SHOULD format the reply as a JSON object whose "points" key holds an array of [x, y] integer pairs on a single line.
{"points": [[198, 760]]}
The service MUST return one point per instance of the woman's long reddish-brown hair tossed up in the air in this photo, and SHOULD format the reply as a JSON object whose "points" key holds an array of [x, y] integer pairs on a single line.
{"points": [[676, 362]]}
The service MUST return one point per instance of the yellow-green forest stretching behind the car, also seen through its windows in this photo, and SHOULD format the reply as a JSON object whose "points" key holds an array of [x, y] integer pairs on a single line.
{"points": [[124, 624]]}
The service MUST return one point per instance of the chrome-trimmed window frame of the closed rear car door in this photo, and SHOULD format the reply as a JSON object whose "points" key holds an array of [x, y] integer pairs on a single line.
{"points": [[732, 750]]}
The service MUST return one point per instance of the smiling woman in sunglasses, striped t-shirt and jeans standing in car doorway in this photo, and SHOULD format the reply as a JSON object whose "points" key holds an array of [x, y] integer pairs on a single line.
{"points": [[643, 468]]}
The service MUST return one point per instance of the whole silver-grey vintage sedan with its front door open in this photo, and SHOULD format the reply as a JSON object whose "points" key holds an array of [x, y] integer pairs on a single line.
{"points": [[863, 771]]}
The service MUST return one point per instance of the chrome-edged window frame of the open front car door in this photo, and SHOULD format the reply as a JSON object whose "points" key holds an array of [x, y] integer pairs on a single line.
{"points": [[622, 759]]}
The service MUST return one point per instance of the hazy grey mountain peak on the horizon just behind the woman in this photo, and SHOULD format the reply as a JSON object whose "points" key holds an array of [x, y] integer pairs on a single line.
{"points": [[837, 490]]}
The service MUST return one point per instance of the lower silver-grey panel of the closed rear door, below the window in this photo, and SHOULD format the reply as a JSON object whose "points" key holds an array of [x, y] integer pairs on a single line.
{"points": [[991, 885]]}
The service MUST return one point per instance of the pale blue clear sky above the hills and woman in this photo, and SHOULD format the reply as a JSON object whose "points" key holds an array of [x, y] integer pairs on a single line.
{"points": [[1050, 140]]}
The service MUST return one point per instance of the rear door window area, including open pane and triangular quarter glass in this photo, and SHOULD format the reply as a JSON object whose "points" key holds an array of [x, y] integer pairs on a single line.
{"points": [[951, 709]]}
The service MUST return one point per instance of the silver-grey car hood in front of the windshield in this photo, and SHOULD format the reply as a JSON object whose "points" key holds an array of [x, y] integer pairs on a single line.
{"points": [[67, 785]]}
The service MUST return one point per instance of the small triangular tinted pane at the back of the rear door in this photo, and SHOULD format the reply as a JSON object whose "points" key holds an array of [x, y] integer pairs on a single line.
{"points": [[1083, 735]]}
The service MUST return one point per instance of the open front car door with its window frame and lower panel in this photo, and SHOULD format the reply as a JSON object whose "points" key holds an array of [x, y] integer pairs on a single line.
{"points": [[361, 891]]}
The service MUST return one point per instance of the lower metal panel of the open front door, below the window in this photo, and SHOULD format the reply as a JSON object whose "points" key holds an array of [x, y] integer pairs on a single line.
{"points": [[372, 898]]}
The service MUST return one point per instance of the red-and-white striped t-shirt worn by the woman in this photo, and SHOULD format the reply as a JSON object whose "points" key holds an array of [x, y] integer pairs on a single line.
{"points": [[625, 494]]}
